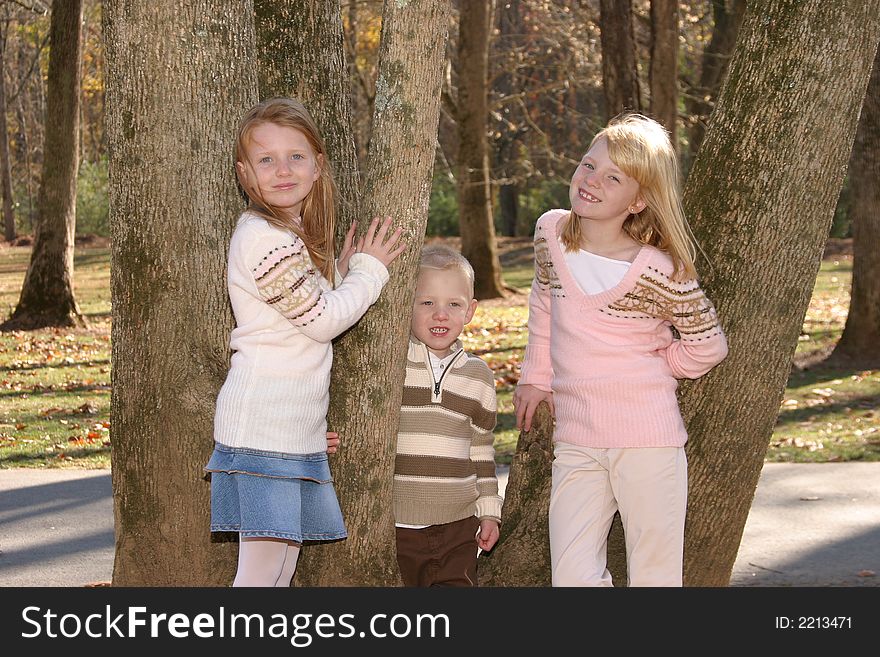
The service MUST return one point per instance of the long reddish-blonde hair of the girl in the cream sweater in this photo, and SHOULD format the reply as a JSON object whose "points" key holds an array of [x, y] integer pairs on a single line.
{"points": [[319, 209]]}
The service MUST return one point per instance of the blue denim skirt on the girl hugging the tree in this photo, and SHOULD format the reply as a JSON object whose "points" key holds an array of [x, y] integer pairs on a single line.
{"points": [[272, 494]]}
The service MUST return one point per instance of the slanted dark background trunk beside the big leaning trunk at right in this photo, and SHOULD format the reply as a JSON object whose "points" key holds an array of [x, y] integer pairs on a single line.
{"points": [[727, 17]]}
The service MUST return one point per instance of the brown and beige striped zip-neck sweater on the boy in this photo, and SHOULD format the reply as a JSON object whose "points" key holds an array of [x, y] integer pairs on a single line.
{"points": [[445, 465]]}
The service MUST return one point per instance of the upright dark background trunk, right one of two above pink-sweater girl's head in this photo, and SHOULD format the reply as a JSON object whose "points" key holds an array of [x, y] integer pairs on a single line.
{"points": [[664, 65]]}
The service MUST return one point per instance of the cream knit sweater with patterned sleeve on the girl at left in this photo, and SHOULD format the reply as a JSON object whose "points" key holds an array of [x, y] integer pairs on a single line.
{"points": [[276, 394]]}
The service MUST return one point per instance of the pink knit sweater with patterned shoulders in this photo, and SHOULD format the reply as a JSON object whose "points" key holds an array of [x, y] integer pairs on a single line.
{"points": [[611, 359]]}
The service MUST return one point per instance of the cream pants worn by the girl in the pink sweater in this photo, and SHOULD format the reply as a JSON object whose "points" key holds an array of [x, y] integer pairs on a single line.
{"points": [[649, 488]]}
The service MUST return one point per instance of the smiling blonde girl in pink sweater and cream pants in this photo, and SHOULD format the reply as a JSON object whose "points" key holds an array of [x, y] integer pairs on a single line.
{"points": [[616, 315]]}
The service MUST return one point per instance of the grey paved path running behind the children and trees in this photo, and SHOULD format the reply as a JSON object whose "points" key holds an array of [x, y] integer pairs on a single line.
{"points": [[810, 525]]}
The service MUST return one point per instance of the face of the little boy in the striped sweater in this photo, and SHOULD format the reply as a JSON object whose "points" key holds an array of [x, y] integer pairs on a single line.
{"points": [[441, 308]]}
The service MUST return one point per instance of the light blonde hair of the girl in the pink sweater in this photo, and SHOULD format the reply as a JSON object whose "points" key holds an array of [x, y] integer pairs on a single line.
{"points": [[641, 148]]}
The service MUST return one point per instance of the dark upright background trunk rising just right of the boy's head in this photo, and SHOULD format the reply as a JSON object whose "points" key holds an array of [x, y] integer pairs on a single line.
{"points": [[475, 220]]}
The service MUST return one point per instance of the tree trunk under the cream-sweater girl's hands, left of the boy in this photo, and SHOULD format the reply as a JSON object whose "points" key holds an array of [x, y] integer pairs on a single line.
{"points": [[369, 360]]}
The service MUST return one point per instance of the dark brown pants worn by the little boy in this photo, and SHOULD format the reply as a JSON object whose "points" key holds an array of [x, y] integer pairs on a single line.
{"points": [[439, 555]]}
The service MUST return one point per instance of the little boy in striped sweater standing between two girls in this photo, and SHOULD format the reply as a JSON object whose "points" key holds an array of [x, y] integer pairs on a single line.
{"points": [[445, 489]]}
